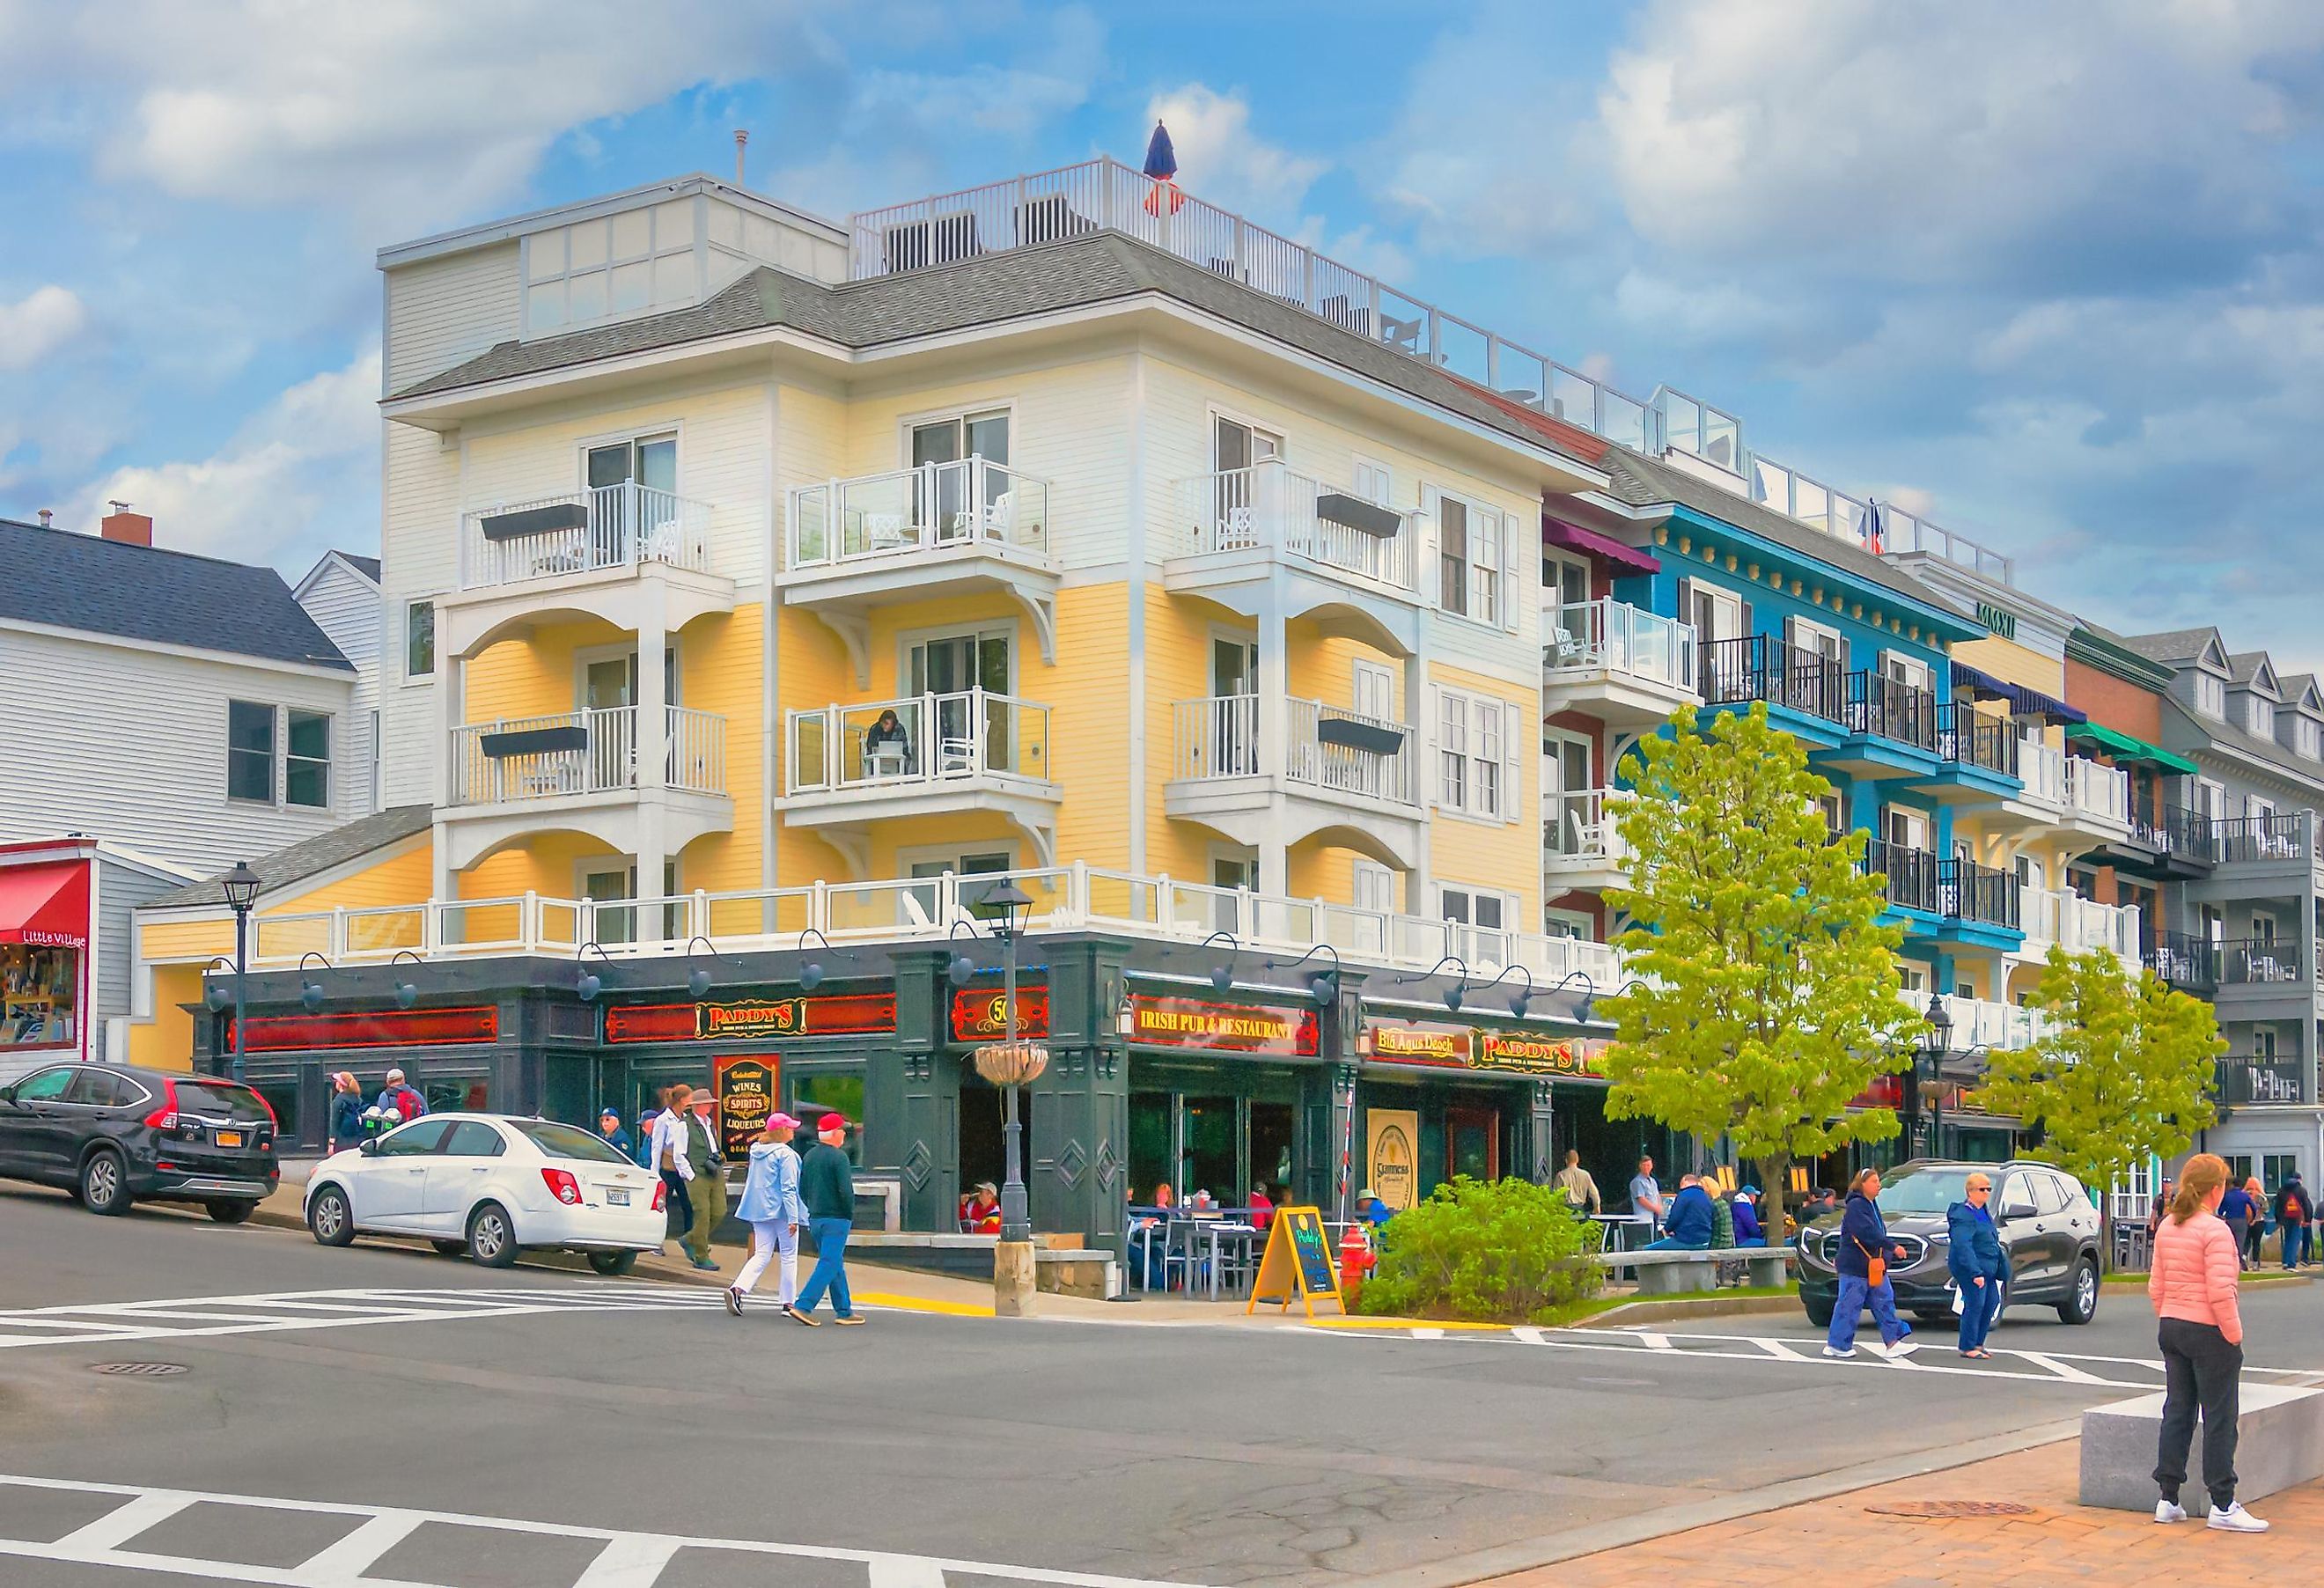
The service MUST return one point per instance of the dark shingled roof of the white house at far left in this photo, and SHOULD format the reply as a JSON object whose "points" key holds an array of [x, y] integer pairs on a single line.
{"points": [[108, 587]]}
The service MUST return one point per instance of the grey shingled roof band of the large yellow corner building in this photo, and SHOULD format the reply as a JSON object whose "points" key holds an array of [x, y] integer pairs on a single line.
{"points": [[987, 292]]}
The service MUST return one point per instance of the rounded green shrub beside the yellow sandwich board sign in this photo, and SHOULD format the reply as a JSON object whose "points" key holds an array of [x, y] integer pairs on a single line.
{"points": [[1491, 1252]]}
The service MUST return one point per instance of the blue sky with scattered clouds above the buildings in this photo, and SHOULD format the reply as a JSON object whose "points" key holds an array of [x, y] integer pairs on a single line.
{"points": [[2049, 276]]}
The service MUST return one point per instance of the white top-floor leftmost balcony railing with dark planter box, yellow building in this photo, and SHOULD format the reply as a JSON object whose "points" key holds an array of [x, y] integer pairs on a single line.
{"points": [[584, 531]]}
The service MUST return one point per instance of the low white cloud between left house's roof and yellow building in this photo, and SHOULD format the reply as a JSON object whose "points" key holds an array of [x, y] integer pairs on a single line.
{"points": [[299, 478]]}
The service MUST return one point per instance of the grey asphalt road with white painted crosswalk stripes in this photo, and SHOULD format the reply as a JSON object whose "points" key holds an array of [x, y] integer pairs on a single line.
{"points": [[375, 1412]]}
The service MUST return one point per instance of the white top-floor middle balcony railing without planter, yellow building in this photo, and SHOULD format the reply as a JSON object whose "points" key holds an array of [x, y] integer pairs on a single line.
{"points": [[926, 508]]}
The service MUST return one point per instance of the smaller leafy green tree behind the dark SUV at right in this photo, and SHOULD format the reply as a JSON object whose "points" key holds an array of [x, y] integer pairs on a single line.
{"points": [[2123, 1073]]}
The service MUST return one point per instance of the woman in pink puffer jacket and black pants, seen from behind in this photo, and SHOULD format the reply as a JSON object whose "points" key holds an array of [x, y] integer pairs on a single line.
{"points": [[2193, 1285]]}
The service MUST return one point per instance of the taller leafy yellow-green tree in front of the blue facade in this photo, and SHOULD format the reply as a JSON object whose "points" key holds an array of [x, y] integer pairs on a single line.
{"points": [[1772, 994]]}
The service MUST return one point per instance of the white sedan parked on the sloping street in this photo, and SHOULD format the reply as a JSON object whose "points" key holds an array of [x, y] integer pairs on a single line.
{"points": [[492, 1187]]}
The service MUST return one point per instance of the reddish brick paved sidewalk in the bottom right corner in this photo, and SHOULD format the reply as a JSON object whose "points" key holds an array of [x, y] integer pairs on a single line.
{"points": [[2058, 1543]]}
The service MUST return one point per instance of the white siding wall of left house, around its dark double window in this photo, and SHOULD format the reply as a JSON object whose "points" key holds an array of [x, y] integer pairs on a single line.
{"points": [[136, 750]]}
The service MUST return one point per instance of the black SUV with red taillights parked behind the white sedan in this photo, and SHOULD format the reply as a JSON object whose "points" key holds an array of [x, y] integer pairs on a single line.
{"points": [[113, 1136]]}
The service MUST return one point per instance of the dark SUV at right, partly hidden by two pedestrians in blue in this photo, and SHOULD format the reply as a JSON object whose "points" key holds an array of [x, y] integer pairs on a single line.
{"points": [[2046, 1224]]}
